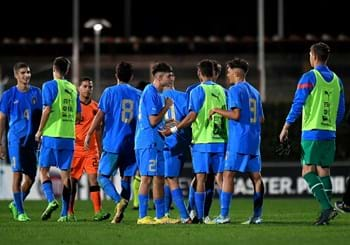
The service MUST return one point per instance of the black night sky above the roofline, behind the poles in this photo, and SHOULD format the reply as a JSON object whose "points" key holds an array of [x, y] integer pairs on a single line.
{"points": [[172, 17]]}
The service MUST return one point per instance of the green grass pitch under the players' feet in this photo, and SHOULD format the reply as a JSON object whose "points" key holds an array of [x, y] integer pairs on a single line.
{"points": [[286, 221]]}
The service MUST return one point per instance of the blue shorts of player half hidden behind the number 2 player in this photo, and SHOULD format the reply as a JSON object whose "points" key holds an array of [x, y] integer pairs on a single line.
{"points": [[173, 164]]}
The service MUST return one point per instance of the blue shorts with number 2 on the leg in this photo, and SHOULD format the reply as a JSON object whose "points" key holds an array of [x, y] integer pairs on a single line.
{"points": [[150, 162]]}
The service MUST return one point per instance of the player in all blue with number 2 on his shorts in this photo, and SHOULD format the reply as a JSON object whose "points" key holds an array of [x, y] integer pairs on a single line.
{"points": [[149, 144]]}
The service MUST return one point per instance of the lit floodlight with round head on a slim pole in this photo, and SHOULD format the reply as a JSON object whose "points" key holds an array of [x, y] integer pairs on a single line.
{"points": [[97, 25]]}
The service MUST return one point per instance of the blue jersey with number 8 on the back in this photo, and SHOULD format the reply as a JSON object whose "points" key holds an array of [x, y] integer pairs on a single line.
{"points": [[120, 105]]}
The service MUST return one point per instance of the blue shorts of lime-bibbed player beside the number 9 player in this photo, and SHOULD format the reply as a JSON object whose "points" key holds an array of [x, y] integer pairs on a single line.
{"points": [[208, 162]]}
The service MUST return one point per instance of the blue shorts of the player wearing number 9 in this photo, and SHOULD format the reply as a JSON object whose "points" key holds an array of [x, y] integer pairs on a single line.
{"points": [[243, 163]]}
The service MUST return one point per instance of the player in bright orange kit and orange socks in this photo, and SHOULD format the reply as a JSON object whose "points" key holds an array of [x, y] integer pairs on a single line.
{"points": [[86, 161]]}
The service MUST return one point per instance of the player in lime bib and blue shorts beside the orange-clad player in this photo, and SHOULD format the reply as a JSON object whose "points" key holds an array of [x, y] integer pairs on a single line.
{"points": [[57, 133]]}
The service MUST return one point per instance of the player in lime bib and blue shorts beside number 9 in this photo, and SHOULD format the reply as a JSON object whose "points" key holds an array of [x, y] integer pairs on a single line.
{"points": [[208, 136]]}
